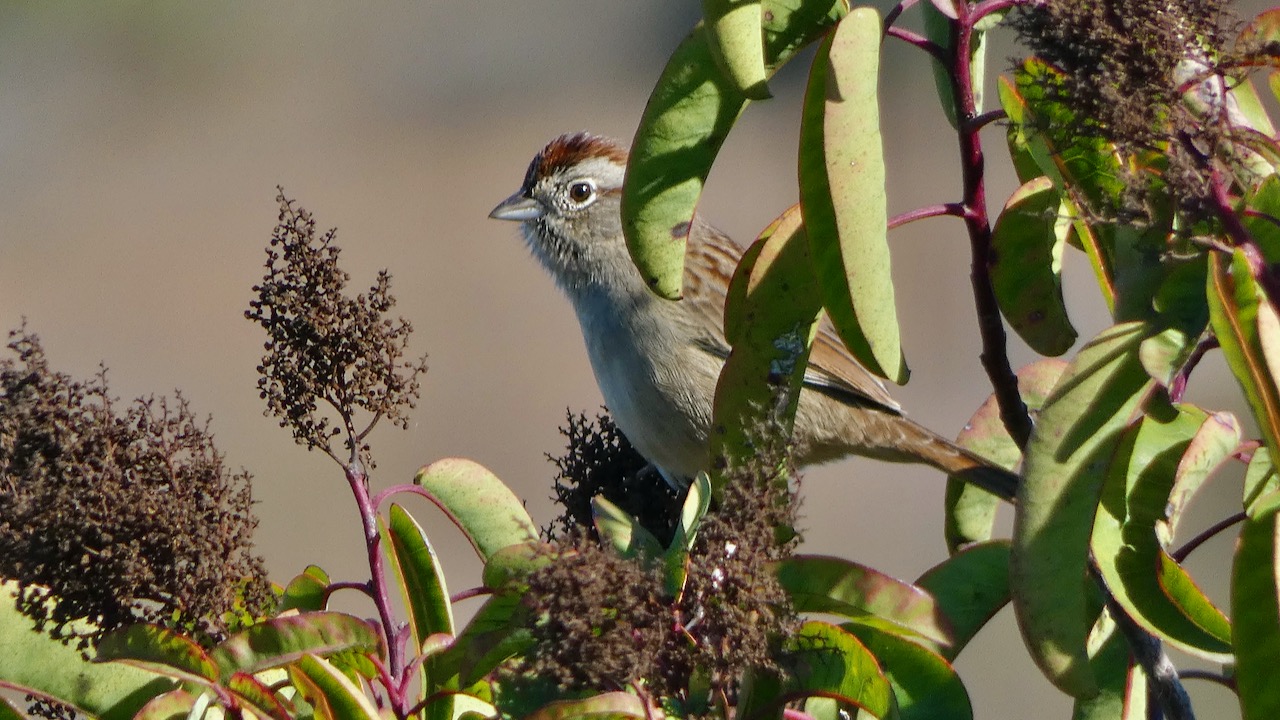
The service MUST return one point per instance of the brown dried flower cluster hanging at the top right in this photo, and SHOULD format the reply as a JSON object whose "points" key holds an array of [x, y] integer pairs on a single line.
{"points": [[1127, 69]]}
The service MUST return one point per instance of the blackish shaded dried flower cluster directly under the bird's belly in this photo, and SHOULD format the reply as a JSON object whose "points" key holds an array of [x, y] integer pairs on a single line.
{"points": [[601, 462]]}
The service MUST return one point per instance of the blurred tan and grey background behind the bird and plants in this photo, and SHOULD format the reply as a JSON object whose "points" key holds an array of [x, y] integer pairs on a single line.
{"points": [[141, 144]]}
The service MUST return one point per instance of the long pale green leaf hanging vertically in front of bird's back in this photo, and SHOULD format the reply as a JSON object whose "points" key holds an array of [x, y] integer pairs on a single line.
{"points": [[843, 194]]}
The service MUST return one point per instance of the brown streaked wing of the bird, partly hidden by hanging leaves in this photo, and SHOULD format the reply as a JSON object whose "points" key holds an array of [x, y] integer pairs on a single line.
{"points": [[710, 262]]}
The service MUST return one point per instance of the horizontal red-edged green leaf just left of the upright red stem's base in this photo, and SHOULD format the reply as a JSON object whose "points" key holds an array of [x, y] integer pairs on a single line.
{"points": [[281, 641]]}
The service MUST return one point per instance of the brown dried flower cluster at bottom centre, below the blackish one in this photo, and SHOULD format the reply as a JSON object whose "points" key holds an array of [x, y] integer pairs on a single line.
{"points": [[602, 622]]}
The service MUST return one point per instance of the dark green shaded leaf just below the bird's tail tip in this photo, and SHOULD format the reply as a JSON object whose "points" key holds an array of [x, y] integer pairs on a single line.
{"points": [[970, 589]]}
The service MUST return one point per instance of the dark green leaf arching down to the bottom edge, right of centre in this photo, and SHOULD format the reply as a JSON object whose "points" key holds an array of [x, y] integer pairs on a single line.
{"points": [[925, 685]]}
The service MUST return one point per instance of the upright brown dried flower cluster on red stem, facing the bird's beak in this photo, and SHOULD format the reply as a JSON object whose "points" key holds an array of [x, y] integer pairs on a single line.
{"points": [[326, 348]]}
